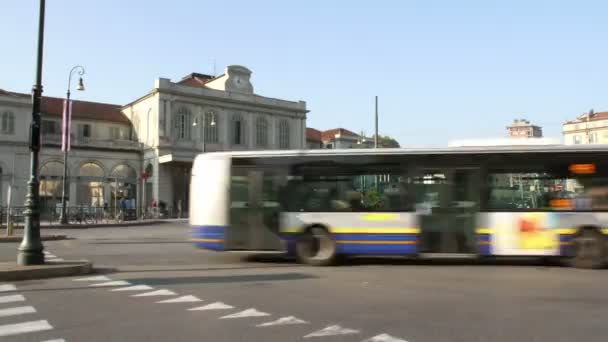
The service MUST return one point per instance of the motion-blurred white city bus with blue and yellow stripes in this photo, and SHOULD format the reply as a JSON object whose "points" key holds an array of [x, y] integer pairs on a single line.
{"points": [[321, 205]]}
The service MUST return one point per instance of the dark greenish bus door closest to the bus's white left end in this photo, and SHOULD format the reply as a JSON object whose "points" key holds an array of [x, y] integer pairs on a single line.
{"points": [[254, 211]]}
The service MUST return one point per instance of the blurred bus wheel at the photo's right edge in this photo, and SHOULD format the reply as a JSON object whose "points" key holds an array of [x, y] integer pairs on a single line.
{"points": [[589, 249]]}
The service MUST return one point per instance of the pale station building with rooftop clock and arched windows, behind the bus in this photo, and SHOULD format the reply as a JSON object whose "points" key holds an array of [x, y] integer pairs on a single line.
{"points": [[158, 134]]}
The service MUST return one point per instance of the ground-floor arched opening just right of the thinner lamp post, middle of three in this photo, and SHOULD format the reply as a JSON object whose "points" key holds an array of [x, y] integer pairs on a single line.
{"points": [[90, 185]]}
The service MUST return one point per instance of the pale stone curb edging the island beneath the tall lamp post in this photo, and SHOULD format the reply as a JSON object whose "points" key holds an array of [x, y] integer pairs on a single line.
{"points": [[49, 270]]}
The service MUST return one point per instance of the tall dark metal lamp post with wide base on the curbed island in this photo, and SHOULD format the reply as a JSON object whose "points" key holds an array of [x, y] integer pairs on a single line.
{"points": [[30, 250]]}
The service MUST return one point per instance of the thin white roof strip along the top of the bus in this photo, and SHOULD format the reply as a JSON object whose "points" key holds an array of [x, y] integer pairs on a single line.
{"points": [[415, 151]]}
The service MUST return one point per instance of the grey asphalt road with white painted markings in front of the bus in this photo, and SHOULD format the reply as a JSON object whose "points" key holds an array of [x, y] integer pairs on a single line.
{"points": [[364, 300]]}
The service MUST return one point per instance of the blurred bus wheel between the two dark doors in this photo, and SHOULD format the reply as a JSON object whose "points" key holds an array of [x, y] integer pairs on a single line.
{"points": [[316, 247]]}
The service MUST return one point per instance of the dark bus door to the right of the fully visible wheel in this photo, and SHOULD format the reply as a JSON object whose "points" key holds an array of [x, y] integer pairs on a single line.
{"points": [[447, 202]]}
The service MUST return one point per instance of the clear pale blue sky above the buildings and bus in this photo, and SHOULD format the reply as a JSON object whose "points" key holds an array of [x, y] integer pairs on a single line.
{"points": [[443, 70]]}
